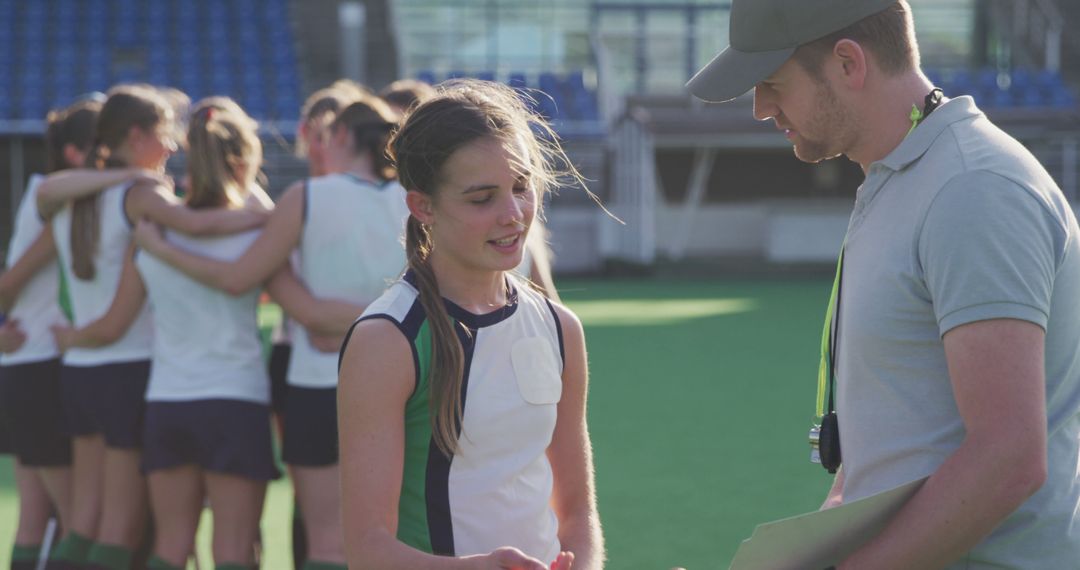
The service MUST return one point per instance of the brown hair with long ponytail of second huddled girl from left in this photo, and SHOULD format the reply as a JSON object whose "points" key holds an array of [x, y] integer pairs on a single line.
{"points": [[127, 107]]}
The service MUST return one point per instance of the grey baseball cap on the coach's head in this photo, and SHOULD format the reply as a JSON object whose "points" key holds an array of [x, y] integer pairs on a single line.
{"points": [[766, 33]]}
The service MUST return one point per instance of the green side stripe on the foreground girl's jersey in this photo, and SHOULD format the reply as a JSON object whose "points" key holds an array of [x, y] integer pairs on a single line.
{"points": [[413, 506]]}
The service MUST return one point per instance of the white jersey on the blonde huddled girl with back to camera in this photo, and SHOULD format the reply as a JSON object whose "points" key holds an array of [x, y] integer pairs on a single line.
{"points": [[206, 342]]}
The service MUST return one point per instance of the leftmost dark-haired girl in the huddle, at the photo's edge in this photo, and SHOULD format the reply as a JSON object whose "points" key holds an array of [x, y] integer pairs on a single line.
{"points": [[30, 369]]}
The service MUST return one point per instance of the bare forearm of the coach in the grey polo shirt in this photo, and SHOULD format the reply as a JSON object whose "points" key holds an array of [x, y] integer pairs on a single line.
{"points": [[984, 482]]}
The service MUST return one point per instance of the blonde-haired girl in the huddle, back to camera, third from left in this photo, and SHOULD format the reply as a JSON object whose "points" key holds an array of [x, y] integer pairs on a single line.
{"points": [[208, 420]]}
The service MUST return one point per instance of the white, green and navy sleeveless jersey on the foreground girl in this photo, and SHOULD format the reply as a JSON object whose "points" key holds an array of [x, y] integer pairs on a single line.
{"points": [[496, 492]]}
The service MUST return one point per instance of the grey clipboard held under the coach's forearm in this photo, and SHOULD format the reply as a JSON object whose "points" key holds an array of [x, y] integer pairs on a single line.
{"points": [[815, 541]]}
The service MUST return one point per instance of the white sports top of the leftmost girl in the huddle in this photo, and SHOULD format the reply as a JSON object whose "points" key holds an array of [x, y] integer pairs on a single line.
{"points": [[37, 306]]}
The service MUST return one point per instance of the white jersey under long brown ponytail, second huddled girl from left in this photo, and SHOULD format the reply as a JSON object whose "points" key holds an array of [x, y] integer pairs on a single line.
{"points": [[91, 300]]}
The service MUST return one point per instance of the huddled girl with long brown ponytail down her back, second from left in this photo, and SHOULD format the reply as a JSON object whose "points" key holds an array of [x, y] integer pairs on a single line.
{"points": [[103, 383]]}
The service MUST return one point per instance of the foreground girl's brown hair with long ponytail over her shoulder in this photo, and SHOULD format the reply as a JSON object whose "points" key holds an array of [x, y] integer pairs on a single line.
{"points": [[462, 113]]}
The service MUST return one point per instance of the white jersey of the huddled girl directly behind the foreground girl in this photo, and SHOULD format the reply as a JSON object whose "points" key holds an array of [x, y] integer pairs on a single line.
{"points": [[352, 249]]}
